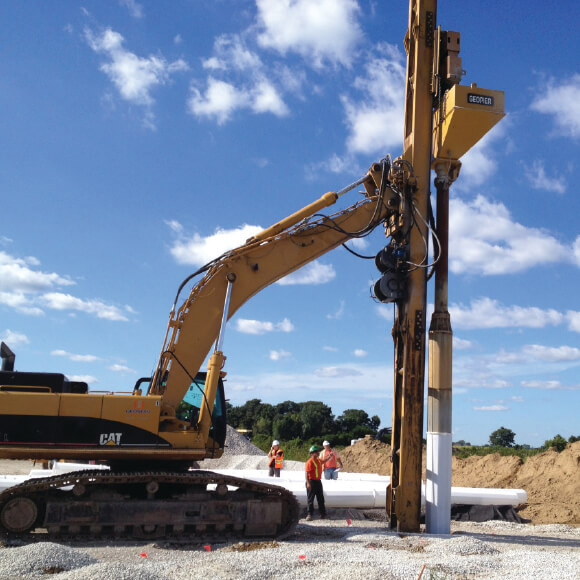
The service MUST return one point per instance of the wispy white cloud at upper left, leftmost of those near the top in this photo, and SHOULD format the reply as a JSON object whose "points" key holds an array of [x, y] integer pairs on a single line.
{"points": [[134, 77]]}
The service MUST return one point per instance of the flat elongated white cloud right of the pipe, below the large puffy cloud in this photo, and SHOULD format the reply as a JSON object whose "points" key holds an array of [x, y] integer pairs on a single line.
{"points": [[488, 313]]}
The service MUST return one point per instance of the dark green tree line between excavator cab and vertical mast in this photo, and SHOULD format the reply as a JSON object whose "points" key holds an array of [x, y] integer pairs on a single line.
{"points": [[311, 420]]}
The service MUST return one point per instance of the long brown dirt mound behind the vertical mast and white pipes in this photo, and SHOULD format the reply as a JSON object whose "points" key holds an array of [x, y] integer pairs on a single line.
{"points": [[551, 479]]}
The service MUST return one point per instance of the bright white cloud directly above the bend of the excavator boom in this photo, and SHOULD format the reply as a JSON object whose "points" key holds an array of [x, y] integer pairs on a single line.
{"points": [[198, 250]]}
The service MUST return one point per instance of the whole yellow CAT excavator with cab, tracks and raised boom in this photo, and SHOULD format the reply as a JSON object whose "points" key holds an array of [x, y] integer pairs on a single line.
{"points": [[150, 437]]}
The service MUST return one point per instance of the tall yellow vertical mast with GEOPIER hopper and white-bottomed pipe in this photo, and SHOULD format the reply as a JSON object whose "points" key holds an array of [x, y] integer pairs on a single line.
{"points": [[443, 120]]}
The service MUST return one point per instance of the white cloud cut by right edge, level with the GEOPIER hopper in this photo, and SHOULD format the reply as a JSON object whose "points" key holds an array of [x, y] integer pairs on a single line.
{"points": [[562, 101]]}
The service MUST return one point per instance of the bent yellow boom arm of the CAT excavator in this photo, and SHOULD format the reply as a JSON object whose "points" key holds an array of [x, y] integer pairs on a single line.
{"points": [[267, 257]]}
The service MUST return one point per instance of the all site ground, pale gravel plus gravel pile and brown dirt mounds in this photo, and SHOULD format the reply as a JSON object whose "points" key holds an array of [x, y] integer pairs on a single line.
{"points": [[352, 543]]}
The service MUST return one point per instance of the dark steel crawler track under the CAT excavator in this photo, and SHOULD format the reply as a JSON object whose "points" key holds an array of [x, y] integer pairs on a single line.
{"points": [[194, 506]]}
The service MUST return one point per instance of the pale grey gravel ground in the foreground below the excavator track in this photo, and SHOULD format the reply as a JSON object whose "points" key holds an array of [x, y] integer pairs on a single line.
{"points": [[342, 546]]}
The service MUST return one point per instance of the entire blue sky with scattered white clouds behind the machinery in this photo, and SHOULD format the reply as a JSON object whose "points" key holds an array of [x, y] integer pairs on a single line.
{"points": [[141, 139]]}
